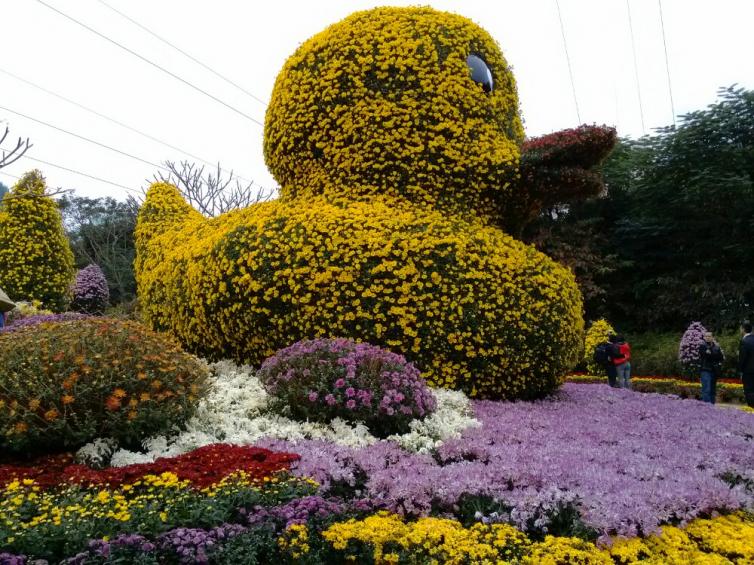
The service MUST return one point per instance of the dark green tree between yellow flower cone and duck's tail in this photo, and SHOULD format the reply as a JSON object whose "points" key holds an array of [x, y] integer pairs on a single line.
{"points": [[101, 231]]}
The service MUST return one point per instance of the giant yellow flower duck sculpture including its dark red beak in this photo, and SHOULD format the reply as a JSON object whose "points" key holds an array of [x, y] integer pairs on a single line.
{"points": [[396, 138]]}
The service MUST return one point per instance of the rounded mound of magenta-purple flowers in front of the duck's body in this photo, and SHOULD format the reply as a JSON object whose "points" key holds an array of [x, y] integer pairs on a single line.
{"points": [[327, 378]]}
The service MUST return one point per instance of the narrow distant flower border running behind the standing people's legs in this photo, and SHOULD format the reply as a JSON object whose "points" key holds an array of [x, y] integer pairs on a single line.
{"points": [[728, 390]]}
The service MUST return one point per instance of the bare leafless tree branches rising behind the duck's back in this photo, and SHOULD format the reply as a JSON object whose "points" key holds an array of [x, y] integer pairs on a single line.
{"points": [[211, 194]]}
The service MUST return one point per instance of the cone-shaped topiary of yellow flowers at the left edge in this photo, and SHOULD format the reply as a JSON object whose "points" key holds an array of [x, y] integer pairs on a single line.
{"points": [[34, 251]]}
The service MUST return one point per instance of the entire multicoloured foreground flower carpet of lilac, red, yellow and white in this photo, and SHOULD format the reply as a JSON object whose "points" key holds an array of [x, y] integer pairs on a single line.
{"points": [[593, 475]]}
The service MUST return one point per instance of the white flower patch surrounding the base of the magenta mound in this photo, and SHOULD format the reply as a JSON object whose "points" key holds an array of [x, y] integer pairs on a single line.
{"points": [[235, 411]]}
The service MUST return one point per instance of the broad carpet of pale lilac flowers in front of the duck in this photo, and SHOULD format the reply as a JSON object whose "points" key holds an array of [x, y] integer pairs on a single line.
{"points": [[628, 461]]}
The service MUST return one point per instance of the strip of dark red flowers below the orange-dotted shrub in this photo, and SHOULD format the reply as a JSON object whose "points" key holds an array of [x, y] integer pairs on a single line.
{"points": [[202, 467]]}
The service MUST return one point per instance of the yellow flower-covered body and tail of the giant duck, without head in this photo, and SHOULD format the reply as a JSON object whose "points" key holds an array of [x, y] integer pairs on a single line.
{"points": [[474, 308]]}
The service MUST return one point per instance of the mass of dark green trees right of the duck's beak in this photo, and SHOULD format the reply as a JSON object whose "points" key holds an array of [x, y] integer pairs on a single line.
{"points": [[670, 241]]}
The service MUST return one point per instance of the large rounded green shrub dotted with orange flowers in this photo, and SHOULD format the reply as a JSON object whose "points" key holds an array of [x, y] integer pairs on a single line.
{"points": [[65, 384]]}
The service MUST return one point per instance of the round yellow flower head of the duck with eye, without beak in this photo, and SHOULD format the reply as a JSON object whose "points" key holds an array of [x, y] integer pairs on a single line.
{"points": [[404, 102]]}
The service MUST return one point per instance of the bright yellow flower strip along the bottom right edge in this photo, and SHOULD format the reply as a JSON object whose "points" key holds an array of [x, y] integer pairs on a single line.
{"points": [[386, 538]]}
